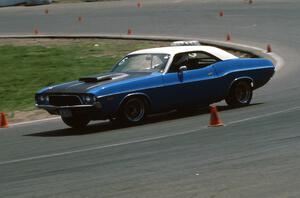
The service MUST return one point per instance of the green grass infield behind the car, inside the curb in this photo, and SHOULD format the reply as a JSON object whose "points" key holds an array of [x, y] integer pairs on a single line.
{"points": [[26, 68]]}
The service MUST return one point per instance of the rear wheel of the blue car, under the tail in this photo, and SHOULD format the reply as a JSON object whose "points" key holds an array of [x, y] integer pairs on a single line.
{"points": [[240, 94]]}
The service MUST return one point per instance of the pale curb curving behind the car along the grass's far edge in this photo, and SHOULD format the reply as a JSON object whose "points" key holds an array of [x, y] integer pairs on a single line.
{"points": [[275, 58]]}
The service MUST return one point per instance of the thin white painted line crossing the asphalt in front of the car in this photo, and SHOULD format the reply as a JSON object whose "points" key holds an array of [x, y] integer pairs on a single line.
{"points": [[142, 140]]}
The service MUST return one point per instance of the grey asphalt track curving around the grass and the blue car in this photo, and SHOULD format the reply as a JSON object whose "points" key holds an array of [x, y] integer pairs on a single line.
{"points": [[255, 155]]}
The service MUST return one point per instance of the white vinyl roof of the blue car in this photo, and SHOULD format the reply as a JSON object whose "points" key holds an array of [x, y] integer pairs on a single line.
{"points": [[221, 54]]}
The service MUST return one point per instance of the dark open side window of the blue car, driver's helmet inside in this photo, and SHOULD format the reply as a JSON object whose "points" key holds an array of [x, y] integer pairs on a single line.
{"points": [[192, 60]]}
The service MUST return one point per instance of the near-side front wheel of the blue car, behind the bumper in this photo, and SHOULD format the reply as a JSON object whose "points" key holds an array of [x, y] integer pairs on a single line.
{"points": [[133, 110]]}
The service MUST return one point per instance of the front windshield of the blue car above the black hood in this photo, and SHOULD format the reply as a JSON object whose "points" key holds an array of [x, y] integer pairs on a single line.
{"points": [[142, 63]]}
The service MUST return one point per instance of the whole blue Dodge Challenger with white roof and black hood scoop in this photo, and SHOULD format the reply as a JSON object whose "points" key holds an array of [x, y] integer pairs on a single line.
{"points": [[156, 80]]}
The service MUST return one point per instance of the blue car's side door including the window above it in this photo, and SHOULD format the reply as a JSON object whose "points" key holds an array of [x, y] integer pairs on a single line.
{"points": [[196, 84]]}
